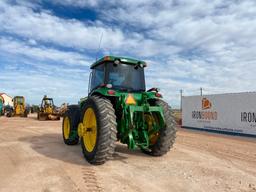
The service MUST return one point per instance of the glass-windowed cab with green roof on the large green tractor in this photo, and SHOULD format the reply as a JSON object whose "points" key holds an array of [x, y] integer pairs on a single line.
{"points": [[121, 74]]}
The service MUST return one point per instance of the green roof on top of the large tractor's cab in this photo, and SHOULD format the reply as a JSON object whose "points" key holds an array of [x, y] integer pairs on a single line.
{"points": [[122, 59]]}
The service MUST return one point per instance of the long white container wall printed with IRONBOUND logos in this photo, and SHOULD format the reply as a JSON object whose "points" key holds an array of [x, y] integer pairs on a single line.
{"points": [[230, 113]]}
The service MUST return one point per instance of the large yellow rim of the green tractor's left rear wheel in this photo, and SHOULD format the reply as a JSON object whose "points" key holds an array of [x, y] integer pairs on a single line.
{"points": [[90, 129]]}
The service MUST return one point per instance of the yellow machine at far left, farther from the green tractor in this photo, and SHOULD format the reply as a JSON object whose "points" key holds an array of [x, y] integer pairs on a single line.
{"points": [[18, 109]]}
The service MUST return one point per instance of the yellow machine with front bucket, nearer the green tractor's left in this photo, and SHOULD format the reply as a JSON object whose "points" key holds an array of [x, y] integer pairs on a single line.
{"points": [[47, 110]]}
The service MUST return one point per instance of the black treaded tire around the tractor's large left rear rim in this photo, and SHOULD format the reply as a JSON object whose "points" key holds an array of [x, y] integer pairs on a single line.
{"points": [[106, 130]]}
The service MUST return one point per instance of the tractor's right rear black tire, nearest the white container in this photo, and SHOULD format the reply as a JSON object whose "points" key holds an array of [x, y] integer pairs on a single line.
{"points": [[167, 134]]}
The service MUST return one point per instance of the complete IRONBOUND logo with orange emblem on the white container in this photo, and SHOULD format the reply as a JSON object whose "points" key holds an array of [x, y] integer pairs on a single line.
{"points": [[205, 115]]}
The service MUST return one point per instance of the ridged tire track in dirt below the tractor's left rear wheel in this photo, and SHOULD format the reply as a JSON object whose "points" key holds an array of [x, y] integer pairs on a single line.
{"points": [[90, 179]]}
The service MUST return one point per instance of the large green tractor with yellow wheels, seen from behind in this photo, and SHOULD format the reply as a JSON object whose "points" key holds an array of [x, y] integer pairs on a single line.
{"points": [[118, 108]]}
